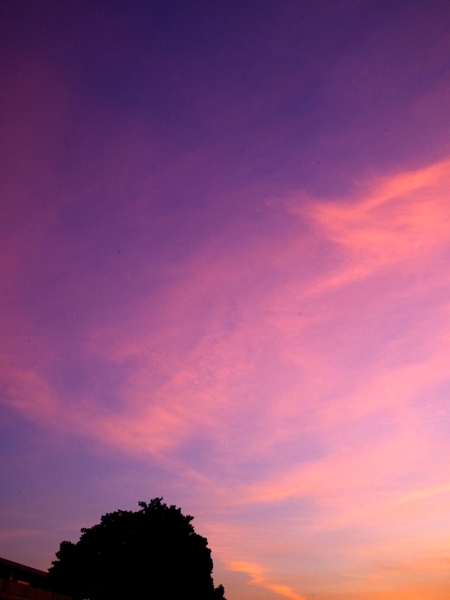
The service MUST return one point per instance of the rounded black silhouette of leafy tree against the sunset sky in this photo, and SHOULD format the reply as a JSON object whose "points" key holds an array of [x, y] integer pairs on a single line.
{"points": [[151, 553]]}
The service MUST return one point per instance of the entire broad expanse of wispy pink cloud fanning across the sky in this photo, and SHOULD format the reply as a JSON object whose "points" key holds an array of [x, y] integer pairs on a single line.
{"points": [[304, 363]]}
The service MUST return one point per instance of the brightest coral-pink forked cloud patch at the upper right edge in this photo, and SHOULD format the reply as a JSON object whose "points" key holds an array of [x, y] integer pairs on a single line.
{"points": [[401, 218]]}
